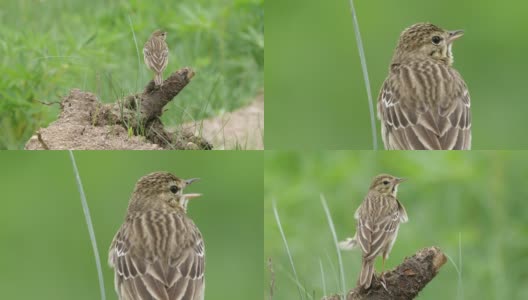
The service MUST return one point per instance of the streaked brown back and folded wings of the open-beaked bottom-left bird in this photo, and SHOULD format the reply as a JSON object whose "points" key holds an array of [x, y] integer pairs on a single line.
{"points": [[150, 267]]}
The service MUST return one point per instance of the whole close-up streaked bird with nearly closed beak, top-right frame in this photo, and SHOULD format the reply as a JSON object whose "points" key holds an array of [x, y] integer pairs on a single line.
{"points": [[424, 103]]}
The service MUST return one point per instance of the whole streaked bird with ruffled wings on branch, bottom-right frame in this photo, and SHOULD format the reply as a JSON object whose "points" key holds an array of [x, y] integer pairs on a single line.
{"points": [[378, 220]]}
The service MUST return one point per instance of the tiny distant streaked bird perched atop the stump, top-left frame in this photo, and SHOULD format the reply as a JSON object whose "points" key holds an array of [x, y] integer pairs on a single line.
{"points": [[156, 54]]}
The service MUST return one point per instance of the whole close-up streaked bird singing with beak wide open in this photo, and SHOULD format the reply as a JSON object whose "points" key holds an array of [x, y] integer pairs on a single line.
{"points": [[158, 253]]}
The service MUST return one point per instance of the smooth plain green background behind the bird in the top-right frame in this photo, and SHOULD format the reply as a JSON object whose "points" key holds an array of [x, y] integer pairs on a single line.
{"points": [[314, 79]]}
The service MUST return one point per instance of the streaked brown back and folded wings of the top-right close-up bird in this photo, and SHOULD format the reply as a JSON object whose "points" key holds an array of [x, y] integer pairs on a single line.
{"points": [[410, 121]]}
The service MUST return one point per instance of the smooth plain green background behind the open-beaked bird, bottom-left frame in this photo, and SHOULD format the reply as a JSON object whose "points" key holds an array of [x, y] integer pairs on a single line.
{"points": [[46, 251]]}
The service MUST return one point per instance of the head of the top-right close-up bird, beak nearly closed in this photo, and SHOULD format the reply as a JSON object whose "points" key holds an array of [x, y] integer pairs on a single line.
{"points": [[427, 40]]}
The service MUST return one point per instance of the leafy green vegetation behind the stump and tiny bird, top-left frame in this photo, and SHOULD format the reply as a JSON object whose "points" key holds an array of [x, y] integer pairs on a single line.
{"points": [[48, 47]]}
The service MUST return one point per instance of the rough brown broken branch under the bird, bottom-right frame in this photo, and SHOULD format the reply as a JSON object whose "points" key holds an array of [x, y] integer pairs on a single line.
{"points": [[403, 282]]}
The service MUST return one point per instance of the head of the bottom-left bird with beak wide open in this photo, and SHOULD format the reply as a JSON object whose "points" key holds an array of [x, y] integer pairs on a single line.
{"points": [[161, 190]]}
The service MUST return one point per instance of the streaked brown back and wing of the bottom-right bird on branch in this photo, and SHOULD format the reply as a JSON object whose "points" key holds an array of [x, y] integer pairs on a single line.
{"points": [[376, 224]]}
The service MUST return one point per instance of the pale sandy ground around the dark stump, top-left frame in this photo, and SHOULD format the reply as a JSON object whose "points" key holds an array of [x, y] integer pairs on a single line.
{"points": [[87, 124]]}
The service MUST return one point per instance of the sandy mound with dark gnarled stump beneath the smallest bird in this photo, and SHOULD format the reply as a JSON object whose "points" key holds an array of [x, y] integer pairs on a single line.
{"points": [[133, 123]]}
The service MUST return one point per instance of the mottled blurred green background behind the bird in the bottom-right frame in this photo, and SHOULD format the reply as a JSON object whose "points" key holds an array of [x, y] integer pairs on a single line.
{"points": [[478, 196]]}
